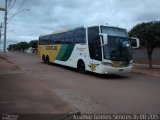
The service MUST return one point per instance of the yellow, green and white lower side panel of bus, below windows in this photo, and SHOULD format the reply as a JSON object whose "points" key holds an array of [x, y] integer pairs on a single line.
{"points": [[69, 54]]}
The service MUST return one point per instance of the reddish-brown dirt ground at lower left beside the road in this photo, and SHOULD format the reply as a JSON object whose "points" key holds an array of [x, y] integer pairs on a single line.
{"points": [[21, 93]]}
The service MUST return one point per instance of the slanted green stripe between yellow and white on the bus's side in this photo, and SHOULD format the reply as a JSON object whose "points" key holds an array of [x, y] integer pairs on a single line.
{"points": [[65, 52]]}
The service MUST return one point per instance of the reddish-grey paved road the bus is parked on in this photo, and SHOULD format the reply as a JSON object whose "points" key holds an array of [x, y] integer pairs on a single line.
{"points": [[124, 93]]}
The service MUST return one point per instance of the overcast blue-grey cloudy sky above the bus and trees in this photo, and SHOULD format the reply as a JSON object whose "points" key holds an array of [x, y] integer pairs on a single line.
{"points": [[46, 16]]}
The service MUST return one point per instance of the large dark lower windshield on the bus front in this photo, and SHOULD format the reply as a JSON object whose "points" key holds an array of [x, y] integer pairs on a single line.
{"points": [[118, 49]]}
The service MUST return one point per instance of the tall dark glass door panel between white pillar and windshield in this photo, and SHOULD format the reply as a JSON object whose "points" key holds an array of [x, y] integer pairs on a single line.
{"points": [[94, 43]]}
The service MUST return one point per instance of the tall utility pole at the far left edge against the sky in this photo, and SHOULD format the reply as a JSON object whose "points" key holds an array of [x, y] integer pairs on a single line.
{"points": [[5, 27]]}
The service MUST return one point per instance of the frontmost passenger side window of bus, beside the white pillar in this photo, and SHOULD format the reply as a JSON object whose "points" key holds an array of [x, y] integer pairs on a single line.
{"points": [[80, 36]]}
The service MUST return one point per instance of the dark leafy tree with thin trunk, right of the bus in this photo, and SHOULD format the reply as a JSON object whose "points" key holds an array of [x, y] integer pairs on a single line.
{"points": [[149, 35]]}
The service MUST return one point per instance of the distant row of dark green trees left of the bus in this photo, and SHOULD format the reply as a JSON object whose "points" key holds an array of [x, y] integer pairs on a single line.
{"points": [[22, 46]]}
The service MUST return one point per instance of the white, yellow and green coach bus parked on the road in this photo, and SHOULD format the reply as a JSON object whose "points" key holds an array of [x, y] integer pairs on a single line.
{"points": [[100, 49]]}
